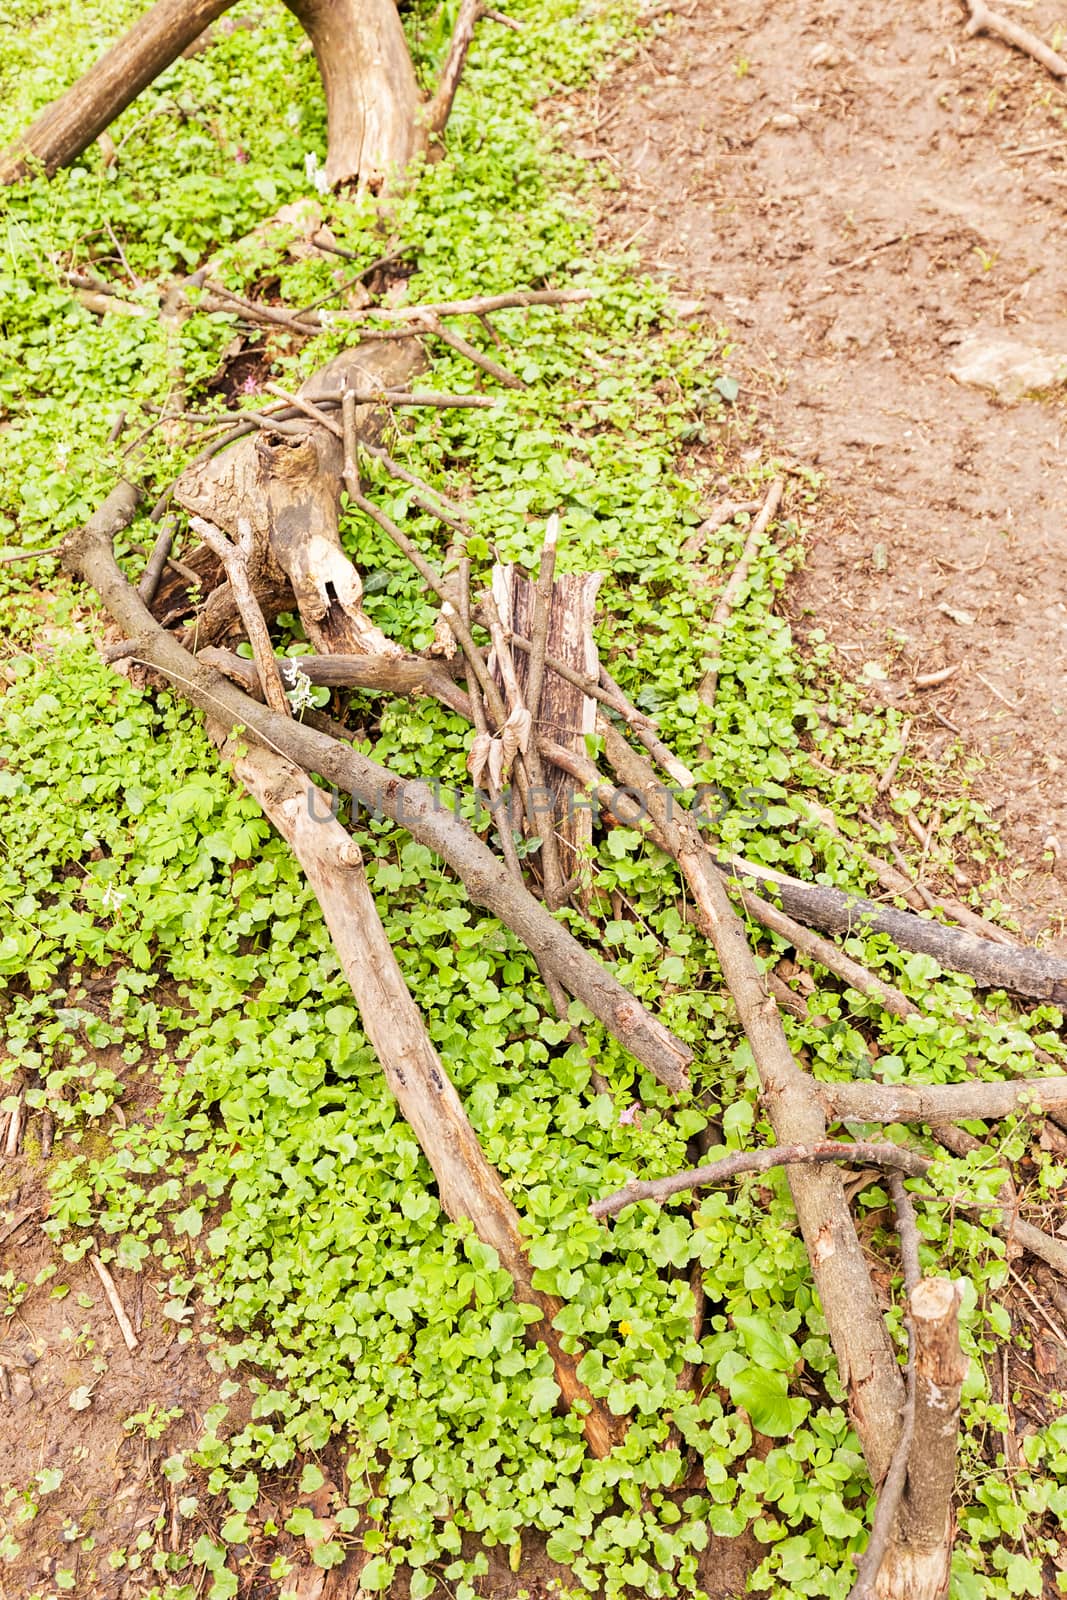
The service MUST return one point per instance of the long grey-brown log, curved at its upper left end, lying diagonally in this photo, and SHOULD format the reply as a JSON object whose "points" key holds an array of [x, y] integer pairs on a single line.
{"points": [[89, 554]]}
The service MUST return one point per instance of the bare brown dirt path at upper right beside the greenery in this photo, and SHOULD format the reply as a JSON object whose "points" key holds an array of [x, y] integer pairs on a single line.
{"points": [[869, 201]]}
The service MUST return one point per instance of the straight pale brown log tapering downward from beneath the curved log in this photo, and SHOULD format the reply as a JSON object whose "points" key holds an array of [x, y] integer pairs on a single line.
{"points": [[470, 1188]]}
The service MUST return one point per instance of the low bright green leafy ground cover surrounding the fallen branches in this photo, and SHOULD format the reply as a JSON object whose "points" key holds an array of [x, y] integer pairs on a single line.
{"points": [[266, 1177]]}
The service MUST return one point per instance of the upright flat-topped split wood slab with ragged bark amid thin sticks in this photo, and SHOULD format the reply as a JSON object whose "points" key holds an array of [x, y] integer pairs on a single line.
{"points": [[564, 713]]}
